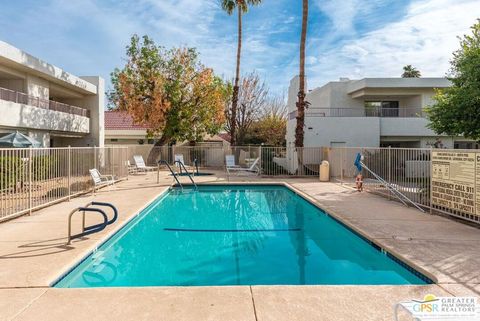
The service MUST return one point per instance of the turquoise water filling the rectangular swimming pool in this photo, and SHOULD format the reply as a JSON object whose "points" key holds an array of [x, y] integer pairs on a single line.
{"points": [[236, 235]]}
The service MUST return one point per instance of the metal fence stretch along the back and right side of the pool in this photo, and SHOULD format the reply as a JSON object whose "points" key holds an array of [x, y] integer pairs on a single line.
{"points": [[408, 170]]}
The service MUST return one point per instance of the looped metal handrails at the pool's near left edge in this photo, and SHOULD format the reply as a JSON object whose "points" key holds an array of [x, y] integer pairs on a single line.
{"points": [[92, 228]]}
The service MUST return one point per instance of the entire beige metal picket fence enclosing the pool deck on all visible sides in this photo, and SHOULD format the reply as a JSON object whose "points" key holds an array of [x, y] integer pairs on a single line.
{"points": [[32, 178]]}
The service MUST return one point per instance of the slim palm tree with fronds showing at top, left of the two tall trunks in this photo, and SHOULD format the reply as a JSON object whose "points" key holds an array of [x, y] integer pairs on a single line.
{"points": [[242, 7]]}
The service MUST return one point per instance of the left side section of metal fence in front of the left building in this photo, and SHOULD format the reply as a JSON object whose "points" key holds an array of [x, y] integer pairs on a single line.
{"points": [[31, 178]]}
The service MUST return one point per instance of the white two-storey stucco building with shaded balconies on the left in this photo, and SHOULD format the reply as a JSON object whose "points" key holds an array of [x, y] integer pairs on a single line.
{"points": [[47, 103]]}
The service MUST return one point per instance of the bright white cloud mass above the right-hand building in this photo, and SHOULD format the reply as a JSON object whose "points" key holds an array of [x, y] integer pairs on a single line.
{"points": [[425, 38]]}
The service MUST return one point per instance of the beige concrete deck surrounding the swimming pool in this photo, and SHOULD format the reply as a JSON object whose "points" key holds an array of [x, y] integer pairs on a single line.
{"points": [[33, 254]]}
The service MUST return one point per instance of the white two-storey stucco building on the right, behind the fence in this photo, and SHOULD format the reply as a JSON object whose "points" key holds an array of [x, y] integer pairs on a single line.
{"points": [[370, 112]]}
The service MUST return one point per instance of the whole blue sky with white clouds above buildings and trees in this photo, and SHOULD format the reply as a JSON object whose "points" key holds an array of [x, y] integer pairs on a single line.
{"points": [[346, 38]]}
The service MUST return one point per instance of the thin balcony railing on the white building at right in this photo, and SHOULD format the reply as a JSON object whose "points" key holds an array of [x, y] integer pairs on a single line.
{"points": [[409, 112]]}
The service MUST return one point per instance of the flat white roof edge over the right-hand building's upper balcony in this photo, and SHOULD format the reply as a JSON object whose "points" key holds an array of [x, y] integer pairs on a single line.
{"points": [[438, 82]]}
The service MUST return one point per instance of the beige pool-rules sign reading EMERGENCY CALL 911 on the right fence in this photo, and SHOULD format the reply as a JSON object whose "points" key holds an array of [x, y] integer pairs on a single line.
{"points": [[456, 181]]}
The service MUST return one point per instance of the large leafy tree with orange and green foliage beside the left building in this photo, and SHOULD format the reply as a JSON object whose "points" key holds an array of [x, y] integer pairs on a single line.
{"points": [[169, 91]]}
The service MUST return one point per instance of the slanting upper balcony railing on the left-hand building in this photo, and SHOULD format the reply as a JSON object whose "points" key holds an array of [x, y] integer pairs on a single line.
{"points": [[21, 98]]}
